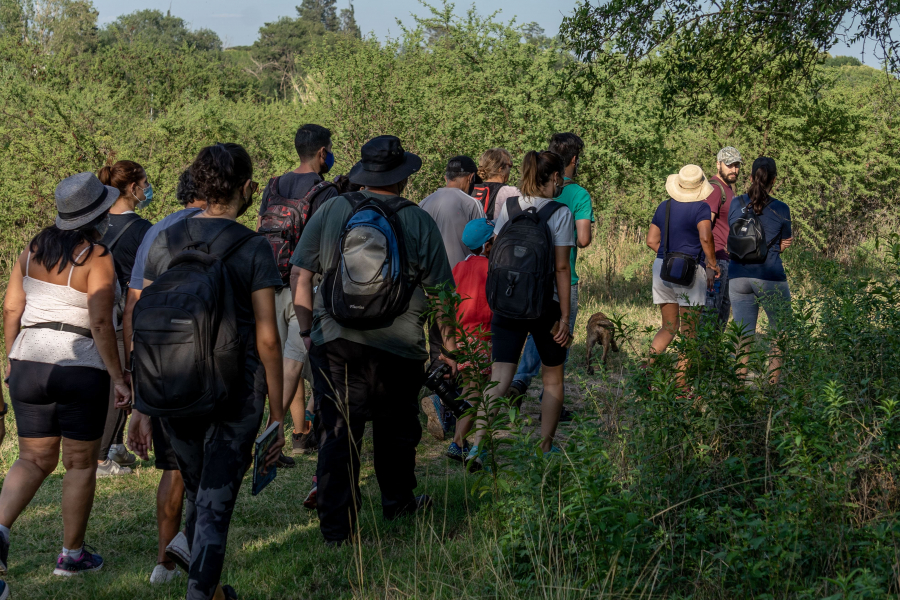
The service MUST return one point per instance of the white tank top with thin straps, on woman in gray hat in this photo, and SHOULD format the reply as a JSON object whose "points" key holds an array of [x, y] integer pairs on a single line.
{"points": [[47, 302]]}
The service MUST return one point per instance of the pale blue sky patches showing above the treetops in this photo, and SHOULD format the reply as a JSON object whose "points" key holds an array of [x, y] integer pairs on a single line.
{"points": [[238, 21]]}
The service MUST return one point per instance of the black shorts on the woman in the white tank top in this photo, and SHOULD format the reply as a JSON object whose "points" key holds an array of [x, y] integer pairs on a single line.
{"points": [[54, 401]]}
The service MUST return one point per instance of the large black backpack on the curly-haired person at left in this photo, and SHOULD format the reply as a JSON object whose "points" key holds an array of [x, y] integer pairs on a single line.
{"points": [[187, 355]]}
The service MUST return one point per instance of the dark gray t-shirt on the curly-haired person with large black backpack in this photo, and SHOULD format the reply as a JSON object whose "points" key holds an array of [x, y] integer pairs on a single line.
{"points": [[252, 268]]}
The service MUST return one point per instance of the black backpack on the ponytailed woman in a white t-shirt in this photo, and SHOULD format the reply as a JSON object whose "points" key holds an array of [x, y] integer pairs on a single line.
{"points": [[522, 265]]}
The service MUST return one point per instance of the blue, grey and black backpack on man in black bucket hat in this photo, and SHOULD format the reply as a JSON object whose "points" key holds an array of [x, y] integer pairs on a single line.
{"points": [[367, 285]]}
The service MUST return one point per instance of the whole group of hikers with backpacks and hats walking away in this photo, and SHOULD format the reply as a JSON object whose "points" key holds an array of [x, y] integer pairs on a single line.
{"points": [[190, 324]]}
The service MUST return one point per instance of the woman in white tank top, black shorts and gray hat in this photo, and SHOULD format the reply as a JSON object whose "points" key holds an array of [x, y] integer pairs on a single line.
{"points": [[61, 345]]}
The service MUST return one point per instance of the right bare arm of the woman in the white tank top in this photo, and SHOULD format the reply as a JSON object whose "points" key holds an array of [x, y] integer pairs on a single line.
{"points": [[101, 298]]}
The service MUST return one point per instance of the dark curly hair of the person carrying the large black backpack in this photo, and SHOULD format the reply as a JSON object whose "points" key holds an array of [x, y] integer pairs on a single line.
{"points": [[219, 170]]}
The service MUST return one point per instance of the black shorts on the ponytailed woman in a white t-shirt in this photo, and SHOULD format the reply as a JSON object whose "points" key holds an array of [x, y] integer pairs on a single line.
{"points": [[508, 337]]}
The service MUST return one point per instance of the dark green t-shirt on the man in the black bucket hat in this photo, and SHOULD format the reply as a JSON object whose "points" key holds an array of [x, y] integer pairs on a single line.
{"points": [[425, 255]]}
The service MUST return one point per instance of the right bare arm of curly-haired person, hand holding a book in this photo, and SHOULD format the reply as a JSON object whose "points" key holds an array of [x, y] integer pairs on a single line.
{"points": [[268, 344]]}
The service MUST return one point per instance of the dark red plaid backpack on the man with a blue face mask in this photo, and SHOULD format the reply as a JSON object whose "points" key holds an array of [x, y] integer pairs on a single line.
{"points": [[283, 220]]}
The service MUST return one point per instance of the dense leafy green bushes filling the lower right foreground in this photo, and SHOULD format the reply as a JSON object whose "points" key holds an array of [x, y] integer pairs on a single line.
{"points": [[746, 489]]}
